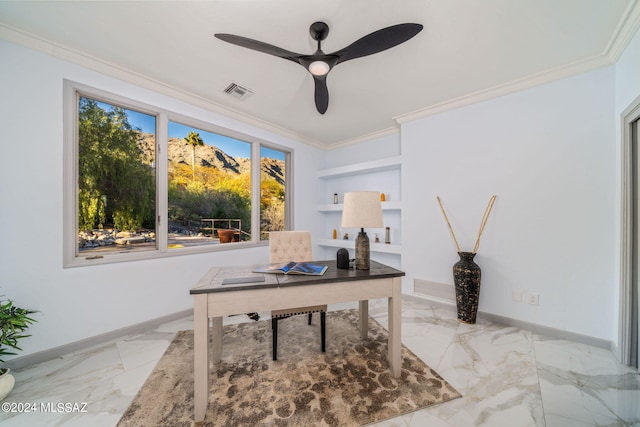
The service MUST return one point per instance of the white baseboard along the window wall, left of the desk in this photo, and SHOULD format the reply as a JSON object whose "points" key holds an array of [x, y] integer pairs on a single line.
{"points": [[56, 352]]}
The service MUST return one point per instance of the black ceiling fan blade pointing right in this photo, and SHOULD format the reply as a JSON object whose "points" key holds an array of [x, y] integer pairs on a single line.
{"points": [[378, 41]]}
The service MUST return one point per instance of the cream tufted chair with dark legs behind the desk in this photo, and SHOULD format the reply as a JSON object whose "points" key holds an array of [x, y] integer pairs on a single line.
{"points": [[285, 246]]}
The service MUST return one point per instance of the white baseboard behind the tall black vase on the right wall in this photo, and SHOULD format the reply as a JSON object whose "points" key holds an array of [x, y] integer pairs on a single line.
{"points": [[535, 328]]}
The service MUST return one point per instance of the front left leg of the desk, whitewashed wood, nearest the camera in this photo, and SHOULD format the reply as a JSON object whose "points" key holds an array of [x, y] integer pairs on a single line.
{"points": [[200, 356]]}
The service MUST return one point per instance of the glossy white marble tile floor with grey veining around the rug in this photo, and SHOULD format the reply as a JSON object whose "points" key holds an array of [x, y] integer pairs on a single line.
{"points": [[507, 376]]}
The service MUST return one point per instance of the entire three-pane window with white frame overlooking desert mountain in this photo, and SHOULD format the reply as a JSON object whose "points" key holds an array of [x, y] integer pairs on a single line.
{"points": [[141, 182]]}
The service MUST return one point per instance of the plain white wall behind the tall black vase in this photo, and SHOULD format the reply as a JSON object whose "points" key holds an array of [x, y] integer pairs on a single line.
{"points": [[548, 153]]}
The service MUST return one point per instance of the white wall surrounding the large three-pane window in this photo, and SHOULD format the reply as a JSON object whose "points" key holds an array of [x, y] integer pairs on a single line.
{"points": [[78, 303]]}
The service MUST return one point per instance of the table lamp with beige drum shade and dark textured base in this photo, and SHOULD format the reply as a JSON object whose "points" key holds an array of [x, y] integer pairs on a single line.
{"points": [[362, 209]]}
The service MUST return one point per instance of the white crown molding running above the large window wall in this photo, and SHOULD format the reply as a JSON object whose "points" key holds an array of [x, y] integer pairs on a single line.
{"points": [[84, 60]]}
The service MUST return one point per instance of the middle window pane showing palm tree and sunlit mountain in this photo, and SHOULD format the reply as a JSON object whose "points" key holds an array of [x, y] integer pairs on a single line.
{"points": [[209, 182]]}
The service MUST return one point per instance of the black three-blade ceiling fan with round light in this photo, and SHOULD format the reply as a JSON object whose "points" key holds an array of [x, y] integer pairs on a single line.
{"points": [[319, 63]]}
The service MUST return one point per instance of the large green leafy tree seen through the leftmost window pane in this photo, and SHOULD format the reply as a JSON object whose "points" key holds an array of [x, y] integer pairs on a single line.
{"points": [[116, 182]]}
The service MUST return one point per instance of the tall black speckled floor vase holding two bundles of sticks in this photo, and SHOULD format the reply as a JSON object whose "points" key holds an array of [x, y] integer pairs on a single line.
{"points": [[466, 273]]}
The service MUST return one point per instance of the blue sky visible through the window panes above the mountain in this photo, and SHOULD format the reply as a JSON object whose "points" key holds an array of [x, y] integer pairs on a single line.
{"points": [[233, 147]]}
